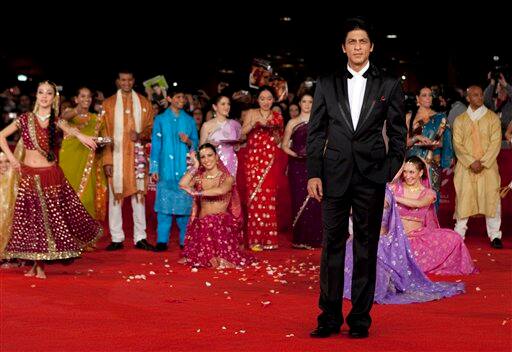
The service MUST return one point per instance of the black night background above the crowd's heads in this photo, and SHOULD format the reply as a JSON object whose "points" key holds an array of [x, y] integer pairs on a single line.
{"points": [[190, 44]]}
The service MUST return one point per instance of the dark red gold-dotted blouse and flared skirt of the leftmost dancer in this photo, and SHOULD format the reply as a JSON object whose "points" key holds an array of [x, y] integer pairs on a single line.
{"points": [[49, 221]]}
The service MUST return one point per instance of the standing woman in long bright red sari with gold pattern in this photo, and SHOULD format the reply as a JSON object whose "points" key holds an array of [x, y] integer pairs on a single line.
{"points": [[264, 129]]}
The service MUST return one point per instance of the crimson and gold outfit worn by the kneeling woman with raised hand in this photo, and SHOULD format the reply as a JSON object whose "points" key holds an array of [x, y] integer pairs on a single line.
{"points": [[215, 239]]}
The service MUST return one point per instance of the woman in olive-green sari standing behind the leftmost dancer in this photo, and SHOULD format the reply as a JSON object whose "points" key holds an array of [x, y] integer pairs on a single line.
{"points": [[82, 166]]}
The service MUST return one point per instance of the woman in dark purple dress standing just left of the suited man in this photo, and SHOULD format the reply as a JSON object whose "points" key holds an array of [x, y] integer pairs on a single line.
{"points": [[306, 211]]}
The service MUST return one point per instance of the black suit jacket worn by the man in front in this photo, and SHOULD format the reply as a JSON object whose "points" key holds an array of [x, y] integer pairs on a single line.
{"points": [[335, 147]]}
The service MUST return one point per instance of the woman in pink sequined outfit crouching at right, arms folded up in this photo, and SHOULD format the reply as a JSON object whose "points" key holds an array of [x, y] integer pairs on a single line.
{"points": [[436, 250]]}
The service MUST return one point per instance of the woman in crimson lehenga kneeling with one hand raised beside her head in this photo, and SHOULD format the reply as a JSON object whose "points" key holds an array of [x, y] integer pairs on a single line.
{"points": [[214, 234]]}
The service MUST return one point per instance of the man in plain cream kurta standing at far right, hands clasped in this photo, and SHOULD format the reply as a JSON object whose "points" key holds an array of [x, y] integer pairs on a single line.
{"points": [[477, 142]]}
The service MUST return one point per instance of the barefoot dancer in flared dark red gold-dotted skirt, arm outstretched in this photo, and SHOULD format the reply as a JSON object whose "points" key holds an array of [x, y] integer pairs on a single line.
{"points": [[49, 221]]}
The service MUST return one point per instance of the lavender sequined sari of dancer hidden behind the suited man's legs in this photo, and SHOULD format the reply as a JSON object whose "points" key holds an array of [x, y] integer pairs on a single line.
{"points": [[399, 279]]}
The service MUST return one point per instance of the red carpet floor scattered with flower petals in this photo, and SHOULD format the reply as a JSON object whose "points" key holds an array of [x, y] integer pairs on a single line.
{"points": [[90, 306]]}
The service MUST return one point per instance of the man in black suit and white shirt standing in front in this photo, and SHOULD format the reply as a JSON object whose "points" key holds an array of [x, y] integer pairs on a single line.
{"points": [[348, 167]]}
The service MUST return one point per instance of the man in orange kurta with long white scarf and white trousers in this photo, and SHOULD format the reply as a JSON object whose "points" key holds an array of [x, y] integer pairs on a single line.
{"points": [[128, 120]]}
